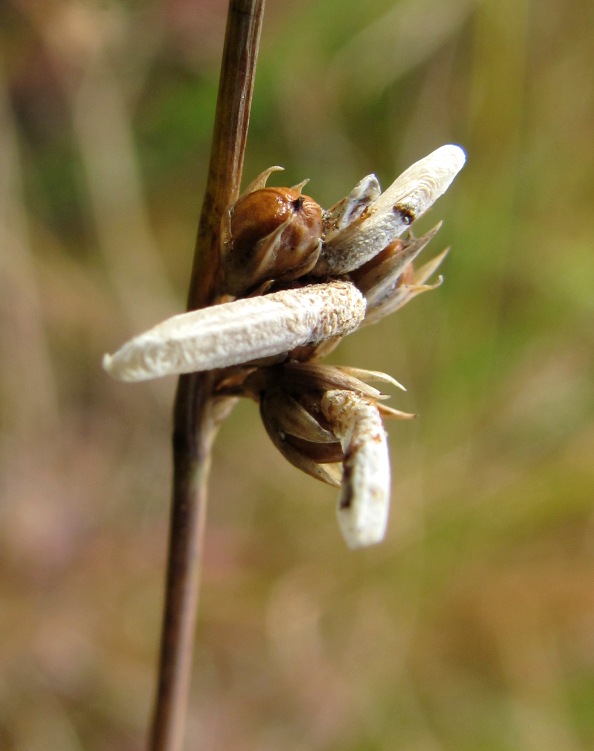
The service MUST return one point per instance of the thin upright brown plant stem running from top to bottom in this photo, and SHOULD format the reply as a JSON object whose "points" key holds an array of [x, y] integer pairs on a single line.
{"points": [[194, 422]]}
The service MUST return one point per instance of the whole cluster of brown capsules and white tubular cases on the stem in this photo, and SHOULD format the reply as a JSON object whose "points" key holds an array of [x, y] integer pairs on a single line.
{"points": [[314, 276]]}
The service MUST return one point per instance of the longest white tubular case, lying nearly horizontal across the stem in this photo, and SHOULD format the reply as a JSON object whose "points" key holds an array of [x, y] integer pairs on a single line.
{"points": [[240, 331]]}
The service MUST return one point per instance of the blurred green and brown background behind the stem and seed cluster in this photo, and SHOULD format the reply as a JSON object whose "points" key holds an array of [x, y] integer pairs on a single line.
{"points": [[472, 626]]}
